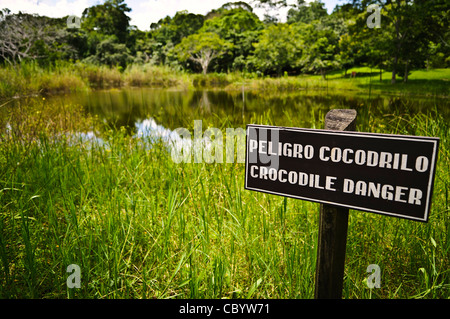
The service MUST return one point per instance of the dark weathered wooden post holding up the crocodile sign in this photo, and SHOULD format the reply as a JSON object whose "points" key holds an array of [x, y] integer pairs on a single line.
{"points": [[333, 223]]}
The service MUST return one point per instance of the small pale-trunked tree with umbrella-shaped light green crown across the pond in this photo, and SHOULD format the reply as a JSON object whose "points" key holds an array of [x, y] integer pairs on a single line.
{"points": [[202, 48]]}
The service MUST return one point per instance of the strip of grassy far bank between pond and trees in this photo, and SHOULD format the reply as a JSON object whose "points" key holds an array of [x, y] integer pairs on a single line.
{"points": [[64, 77]]}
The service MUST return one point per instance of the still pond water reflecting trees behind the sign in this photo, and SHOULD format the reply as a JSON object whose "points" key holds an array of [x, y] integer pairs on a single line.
{"points": [[141, 109]]}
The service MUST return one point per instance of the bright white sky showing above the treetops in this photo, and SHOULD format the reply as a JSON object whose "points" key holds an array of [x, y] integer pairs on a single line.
{"points": [[144, 12]]}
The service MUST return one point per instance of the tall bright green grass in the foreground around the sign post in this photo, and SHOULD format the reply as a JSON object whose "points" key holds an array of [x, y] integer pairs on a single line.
{"points": [[141, 226]]}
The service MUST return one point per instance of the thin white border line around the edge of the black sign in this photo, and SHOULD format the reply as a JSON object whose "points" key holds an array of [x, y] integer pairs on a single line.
{"points": [[434, 140]]}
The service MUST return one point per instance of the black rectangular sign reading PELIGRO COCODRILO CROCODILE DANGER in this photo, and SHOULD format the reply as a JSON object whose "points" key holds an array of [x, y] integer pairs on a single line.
{"points": [[380, 173]]}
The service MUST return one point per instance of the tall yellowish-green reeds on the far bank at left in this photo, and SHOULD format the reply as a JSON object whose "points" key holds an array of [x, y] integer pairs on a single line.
{"points": [[29, 78]]}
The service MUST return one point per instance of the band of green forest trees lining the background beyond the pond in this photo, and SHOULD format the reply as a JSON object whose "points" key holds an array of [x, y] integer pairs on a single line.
{"points": [[412, 35]]}
